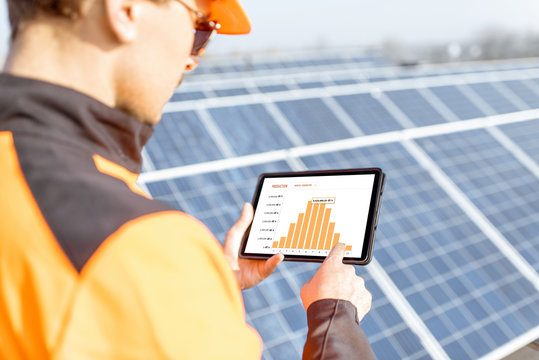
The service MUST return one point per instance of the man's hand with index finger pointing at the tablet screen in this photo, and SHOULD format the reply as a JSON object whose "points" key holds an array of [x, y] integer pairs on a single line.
{"points": [[334, 280]]}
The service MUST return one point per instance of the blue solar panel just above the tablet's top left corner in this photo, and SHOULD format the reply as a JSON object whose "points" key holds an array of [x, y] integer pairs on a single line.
{"points": [[239, 124]]}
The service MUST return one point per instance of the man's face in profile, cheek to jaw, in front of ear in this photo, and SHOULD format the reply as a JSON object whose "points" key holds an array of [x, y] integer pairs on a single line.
{"points": [[154, 63]]}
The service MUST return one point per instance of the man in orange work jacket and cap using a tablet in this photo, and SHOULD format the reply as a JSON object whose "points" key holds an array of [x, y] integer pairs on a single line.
{"points": [[90, 267]]}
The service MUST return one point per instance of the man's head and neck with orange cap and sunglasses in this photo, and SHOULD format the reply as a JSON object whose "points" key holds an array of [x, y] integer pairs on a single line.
{"points": [[138, 48]]}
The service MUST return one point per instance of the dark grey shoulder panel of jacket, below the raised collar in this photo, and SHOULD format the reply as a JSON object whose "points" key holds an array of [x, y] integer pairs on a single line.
{"points": [[82, 206]]}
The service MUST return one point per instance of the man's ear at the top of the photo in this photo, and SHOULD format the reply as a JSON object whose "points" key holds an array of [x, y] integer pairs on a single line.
{"points": [[121, 16]]}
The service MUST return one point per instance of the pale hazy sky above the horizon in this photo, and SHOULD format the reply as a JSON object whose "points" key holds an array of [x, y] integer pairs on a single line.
{"points": [[298, 24]]}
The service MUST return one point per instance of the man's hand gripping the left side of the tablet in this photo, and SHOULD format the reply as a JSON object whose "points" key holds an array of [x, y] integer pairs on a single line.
{"points": [[248, 272]]}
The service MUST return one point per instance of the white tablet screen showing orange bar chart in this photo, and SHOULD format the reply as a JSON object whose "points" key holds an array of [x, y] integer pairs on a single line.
{"points": [[308, 216]]}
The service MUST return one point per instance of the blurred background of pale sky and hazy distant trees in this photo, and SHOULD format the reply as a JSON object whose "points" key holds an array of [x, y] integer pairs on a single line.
{"points": [[414, 29]]}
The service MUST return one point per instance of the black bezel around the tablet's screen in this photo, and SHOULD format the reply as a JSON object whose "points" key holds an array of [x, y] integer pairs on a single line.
{"points": [[372, 220]]}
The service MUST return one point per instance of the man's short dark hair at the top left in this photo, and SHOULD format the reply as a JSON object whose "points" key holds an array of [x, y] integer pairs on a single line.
{"points": [[21, 11]]}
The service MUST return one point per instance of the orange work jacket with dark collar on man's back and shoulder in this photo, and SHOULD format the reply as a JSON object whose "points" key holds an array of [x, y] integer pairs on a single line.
{"points": [[90, 267]]}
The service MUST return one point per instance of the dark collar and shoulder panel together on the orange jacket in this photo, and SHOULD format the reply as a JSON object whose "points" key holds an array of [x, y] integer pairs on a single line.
{"points": [[56, 131]]}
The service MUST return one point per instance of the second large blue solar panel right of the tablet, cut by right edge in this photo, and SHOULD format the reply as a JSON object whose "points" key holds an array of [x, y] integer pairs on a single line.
{"points": [[496, 182]]}
